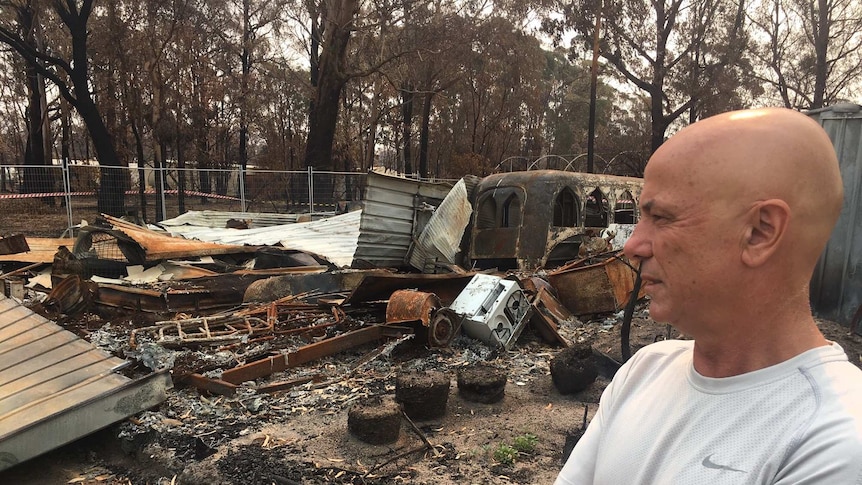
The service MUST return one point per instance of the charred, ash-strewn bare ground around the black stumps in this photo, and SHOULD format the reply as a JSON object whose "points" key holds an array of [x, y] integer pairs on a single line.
{"points": [[301, 436]]}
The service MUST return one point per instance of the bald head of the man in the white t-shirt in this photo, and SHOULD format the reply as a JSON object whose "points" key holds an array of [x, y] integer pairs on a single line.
{"points": [[735, 210]]}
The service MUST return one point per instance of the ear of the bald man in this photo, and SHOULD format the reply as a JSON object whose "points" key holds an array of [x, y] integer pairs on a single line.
{"points": [[768, 223]]}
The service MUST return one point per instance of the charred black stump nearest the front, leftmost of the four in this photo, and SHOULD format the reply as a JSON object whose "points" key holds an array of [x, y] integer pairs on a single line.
{"points": [[375, 421]]}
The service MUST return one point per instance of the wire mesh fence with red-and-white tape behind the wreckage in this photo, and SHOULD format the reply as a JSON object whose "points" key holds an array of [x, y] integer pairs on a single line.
{"points": [[58, 198]]}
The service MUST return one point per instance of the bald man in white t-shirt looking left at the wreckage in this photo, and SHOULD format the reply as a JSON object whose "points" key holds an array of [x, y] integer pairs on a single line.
{"points": [[735, 211]]}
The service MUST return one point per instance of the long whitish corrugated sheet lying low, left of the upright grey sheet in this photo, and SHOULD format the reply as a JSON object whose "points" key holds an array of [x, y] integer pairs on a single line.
{"points": [[334, 238]]}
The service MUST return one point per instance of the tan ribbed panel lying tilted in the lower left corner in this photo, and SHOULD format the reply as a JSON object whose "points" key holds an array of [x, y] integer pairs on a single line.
{"points": [[56, 387]]}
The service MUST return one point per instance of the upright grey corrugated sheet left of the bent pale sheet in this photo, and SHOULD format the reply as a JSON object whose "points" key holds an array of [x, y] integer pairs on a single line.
{"points": [[395, 209]]}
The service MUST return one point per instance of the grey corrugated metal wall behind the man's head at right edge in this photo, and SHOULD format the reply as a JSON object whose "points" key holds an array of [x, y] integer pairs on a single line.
{"points": [[836, 288]]}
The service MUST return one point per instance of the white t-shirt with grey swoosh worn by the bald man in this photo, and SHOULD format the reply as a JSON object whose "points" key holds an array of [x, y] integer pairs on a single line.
{"points": [[660, 422]]}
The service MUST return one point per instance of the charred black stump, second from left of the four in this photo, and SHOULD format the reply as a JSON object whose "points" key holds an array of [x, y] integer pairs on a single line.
{"points": [[423, 395]]}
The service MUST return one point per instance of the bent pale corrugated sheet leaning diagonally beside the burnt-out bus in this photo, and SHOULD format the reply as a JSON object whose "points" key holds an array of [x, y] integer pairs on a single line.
{"points": [[441, 238]]}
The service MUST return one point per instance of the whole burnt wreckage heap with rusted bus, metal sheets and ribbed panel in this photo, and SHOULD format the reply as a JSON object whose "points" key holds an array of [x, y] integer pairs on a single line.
{"points": [[419, 261]]}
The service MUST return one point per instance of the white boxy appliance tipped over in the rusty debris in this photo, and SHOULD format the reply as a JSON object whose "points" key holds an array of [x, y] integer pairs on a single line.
{"points": [[493, 309]]}
